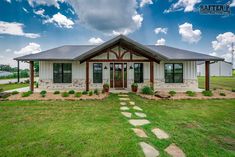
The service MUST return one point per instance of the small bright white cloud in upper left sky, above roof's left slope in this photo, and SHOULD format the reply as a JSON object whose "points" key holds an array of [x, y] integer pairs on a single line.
{"points": [[60, 20]]}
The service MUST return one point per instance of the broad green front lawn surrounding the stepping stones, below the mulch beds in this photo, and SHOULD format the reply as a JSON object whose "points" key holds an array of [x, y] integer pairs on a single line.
{"points": [[97, 128]]}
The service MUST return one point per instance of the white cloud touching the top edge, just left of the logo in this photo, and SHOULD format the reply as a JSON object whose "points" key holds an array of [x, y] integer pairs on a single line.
{"points": [[186, 5]]}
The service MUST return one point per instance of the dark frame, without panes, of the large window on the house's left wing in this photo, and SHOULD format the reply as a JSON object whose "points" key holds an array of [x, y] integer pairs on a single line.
{"points": [[62, 73]]}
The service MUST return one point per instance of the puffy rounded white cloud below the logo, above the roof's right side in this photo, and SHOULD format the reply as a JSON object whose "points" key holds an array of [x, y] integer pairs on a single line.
{"points": [[188, 34]]}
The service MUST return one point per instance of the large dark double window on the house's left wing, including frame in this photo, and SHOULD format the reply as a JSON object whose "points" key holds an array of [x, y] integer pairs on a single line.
{"points": [[62, 73]]}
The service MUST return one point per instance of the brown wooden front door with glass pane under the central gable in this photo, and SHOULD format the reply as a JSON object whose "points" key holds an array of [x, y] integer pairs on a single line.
{"points": [[118, 75]]}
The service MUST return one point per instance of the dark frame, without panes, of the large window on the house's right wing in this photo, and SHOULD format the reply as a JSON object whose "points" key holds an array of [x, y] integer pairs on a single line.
{"points": [[173, 73]]}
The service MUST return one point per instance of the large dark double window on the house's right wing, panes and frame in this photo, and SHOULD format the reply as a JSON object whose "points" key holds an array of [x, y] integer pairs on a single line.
{"points": [[173, 73]]}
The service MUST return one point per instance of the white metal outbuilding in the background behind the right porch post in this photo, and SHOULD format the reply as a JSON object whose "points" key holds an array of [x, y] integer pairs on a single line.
{"points": [[220, 68]]}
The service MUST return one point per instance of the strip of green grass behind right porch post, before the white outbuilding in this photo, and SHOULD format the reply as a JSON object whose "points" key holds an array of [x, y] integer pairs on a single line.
{"points": [[218, 82]]}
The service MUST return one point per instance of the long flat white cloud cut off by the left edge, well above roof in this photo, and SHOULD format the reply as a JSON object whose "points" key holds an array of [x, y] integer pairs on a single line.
{"points": [[15, 29]]}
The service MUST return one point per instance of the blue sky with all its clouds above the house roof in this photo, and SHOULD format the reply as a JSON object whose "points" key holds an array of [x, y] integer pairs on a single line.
{"points": [[31, 26]]}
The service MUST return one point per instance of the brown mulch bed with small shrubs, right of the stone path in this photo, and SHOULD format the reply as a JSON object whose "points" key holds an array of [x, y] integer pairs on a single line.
{"points": [[199, 96]]}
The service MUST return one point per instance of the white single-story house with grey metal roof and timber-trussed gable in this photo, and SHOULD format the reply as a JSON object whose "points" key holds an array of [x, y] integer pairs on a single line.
{"points": [[119, 62]]}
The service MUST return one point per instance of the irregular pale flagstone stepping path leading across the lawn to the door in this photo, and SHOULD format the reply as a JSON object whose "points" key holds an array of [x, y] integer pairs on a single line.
{"points": [[149, 150]]}
